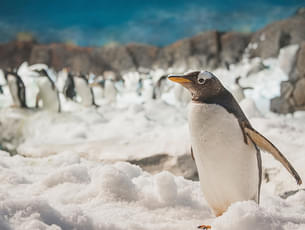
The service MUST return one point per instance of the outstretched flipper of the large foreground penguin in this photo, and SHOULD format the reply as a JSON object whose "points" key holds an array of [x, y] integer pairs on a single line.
{"points": [[263, 143]]}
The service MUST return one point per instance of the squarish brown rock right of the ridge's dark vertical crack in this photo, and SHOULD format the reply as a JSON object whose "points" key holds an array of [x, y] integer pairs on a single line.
{"points": [[233, 45]]}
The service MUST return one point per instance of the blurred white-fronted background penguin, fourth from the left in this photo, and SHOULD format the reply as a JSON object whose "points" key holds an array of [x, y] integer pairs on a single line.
{"points": [[83, 90]]}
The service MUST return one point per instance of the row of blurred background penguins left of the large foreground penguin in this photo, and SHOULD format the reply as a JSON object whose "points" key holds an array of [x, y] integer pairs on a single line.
{"points": [[77, 87]]}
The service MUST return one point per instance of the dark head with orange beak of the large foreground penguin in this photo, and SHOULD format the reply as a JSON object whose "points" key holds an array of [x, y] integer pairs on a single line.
{"points": [[203, 85]]}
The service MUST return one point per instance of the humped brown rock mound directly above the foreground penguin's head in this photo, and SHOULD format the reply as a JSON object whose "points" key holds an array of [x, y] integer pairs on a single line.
{"points": [[206, 50]]}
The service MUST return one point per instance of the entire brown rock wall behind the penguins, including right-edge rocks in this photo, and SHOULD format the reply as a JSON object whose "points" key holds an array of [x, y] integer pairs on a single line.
{"points": [[207, 50]]}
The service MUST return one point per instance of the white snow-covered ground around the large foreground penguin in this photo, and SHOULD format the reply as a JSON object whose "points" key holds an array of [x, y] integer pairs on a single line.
{"points": [[71, 170]]}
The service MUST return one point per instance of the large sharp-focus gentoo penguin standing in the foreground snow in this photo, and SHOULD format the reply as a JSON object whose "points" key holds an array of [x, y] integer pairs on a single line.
{"points": [[224, 144]]}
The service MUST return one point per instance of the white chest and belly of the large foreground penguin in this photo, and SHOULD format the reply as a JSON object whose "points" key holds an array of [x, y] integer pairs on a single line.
{"points": [[227, 167]]}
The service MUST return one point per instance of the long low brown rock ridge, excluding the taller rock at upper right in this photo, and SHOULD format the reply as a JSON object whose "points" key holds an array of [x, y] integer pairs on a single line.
{"points": [[206, 50]]}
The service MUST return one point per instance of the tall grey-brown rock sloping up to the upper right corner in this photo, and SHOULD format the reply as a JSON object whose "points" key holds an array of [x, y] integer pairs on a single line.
{"points": [[268, 41]]}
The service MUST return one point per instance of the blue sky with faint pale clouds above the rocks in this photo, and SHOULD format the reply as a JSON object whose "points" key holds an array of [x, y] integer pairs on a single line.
{"points": [[157, 22]]}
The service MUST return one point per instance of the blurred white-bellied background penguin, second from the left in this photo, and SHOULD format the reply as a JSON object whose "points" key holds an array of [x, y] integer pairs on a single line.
{"points": [[48, 92]]}
